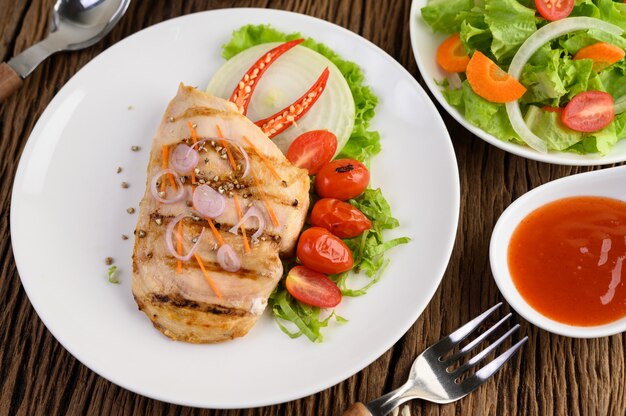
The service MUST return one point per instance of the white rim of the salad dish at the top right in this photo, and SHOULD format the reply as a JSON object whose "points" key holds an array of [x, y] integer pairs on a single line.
{"points": [[425, 44]]}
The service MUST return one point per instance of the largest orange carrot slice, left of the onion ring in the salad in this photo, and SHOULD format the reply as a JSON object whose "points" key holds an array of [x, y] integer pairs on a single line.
{"points": [[491, 82]]}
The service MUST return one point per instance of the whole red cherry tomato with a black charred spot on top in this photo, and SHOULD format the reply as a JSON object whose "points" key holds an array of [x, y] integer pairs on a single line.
{"points": [[342, 179]]}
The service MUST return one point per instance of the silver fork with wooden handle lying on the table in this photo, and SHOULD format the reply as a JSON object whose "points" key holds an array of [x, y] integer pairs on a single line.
{"points": [[431, 377]]}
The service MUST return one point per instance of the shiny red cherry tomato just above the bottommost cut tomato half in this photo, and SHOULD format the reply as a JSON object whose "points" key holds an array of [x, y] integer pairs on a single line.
{"points": [[323, 252]]}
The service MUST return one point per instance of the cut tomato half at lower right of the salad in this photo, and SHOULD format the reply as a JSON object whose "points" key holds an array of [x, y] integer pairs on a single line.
{"points": [[589, 111]]}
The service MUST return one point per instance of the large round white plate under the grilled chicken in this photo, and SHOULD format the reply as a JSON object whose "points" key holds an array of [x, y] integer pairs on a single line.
{"points": [[68, 212]]}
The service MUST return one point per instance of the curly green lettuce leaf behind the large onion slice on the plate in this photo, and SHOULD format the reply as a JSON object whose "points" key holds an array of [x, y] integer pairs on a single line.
{"points": [[363, 144]]}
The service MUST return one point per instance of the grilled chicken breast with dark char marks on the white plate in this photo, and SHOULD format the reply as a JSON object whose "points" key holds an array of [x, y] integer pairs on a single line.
{"points": [[183, 304]]}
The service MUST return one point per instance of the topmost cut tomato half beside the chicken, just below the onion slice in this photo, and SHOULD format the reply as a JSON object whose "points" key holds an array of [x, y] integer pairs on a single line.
{"points": [[312, 150]]}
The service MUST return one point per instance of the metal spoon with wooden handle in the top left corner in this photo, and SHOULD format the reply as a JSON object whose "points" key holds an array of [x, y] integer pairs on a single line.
{"points": [[75, 24]]}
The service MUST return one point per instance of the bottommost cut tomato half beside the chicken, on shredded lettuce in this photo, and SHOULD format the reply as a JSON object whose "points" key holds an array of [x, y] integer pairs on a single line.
{"points": [[312, 288]]}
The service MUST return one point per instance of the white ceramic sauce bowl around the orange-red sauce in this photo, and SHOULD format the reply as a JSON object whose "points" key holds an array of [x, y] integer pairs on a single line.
{"points": [[604, 183]]}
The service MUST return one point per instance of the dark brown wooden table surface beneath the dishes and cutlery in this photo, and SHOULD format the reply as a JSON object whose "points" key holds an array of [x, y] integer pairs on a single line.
{"points": [[552, 375]]}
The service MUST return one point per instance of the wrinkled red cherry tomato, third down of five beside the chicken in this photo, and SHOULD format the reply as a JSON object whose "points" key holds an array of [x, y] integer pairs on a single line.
{"points": [[340, 218]]}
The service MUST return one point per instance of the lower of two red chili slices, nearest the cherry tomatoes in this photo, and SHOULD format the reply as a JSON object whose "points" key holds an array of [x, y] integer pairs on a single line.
{"points": [[278, 122]]}
